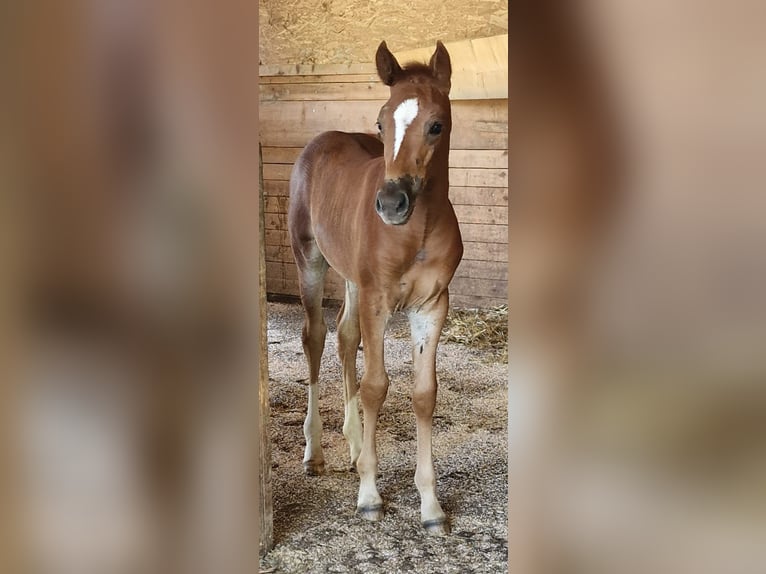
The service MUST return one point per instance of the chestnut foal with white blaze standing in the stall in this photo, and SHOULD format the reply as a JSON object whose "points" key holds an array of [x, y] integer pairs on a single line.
{"points": [[377, 211]]}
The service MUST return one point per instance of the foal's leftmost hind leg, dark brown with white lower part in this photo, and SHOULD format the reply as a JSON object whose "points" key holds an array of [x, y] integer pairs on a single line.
{"points": [[312, 267]]}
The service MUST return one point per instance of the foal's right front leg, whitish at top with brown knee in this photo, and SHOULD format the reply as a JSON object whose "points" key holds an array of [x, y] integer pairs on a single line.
{"points": [[426, 325]]}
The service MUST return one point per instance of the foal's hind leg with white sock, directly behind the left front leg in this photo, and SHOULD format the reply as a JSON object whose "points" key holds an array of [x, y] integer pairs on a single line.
{"points": [[349, 337]]}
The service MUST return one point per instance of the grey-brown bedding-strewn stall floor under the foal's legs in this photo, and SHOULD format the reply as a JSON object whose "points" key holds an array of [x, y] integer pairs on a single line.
{"points": [[315, 527]]}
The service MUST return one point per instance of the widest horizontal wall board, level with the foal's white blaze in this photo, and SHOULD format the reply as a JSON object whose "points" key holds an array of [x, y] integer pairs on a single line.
{"points": [[476, 124]]}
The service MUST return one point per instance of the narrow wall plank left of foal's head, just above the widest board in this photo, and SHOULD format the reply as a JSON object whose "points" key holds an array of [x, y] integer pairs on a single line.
{"points": [[336, 92]]}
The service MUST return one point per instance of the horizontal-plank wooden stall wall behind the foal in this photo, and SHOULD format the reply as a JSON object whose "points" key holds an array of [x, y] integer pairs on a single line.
{"points": [[299, 102]]}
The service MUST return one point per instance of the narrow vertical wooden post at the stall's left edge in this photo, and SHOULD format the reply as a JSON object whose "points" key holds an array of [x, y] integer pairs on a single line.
{"points": [[264, 469]]}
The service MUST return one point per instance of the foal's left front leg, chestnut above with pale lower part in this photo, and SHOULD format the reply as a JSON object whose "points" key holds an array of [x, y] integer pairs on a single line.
{"points": [[373, 315]]}
